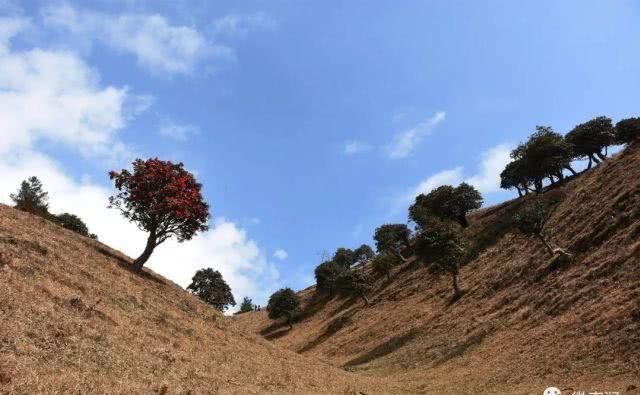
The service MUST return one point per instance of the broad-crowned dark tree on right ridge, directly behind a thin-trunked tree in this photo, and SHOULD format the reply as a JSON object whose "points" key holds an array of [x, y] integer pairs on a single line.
{"points": [[445, 202]]}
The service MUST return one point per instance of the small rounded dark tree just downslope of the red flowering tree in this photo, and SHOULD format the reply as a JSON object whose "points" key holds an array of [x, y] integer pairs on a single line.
{"points": [[208, 285]]}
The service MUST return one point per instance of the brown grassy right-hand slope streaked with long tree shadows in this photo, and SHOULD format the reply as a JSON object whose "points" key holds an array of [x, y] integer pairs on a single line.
{"points": [[525, 320]]}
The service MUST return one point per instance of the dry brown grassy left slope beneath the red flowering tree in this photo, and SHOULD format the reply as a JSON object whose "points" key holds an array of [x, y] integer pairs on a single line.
{"points": [[74, 319]]}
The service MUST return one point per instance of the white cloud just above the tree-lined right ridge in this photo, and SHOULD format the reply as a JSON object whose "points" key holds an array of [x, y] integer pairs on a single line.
{"points": [[487, 180]]}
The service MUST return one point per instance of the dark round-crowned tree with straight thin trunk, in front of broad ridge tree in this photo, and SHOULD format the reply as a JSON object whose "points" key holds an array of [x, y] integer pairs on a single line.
{"points": [[442, 244]]}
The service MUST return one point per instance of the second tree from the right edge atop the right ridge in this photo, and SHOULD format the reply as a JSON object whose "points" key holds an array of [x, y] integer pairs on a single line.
{"points": [[591, 139]]}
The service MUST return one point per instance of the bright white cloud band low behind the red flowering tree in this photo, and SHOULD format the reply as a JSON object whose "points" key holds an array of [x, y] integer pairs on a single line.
{"points": [[226, 247]]}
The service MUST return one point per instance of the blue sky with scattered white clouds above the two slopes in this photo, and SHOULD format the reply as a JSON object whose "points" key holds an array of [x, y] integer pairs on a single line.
{"points": [[308, 122]]}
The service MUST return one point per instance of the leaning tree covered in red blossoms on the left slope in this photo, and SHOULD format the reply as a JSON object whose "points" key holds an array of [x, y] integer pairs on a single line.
{"points": [[163, 199]]}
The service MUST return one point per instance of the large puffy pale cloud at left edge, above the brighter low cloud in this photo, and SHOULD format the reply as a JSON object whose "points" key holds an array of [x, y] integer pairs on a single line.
{"points": [[55, 96]]}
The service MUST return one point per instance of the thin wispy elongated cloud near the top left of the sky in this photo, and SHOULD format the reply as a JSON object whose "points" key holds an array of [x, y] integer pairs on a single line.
{"points": [[157, 44]]}
